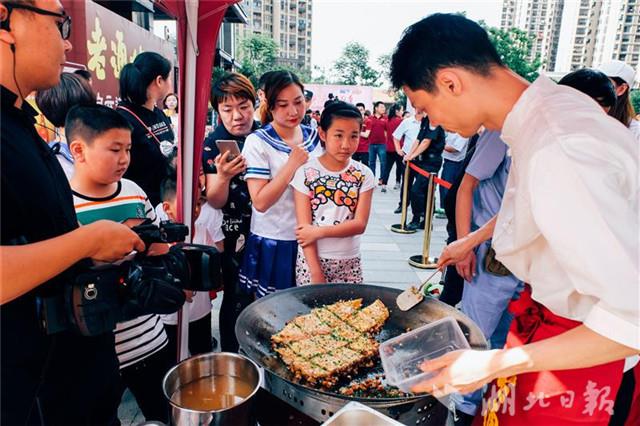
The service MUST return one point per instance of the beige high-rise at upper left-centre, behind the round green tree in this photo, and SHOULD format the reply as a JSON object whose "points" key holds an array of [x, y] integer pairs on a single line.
{"points": [[287, 22]]}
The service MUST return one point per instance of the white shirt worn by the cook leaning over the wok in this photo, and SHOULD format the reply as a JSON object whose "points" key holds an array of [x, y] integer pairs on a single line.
{"points": [[568, 224]]}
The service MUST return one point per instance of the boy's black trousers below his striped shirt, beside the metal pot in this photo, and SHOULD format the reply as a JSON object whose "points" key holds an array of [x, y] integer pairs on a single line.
{"points": [[144, 380]]}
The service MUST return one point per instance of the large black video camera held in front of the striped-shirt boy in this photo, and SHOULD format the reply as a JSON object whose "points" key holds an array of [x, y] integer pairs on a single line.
{"points": [[102, 296]]}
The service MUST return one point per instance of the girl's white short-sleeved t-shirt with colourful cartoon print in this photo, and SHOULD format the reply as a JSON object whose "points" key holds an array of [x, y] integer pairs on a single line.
{"points": [[334, 198]]}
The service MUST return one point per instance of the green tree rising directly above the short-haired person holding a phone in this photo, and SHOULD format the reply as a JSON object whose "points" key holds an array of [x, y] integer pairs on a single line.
{"points": [[258, 54]]}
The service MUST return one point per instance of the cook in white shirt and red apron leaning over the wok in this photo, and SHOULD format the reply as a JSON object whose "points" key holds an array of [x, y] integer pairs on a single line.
{"points": [[568, 226]]}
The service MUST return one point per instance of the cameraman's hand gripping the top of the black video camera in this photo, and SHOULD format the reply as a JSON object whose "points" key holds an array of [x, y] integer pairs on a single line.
{"points": [[112, 240]]}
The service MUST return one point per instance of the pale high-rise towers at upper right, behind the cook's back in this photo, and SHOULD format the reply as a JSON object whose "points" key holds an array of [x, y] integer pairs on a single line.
{"points": [[572, 34]]}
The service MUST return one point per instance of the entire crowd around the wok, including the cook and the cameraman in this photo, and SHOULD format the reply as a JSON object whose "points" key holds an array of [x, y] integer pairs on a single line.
{"points": [[540, 174]]}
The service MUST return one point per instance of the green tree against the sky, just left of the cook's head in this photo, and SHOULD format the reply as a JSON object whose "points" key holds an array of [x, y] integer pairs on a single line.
{"points": [[353, 68]]}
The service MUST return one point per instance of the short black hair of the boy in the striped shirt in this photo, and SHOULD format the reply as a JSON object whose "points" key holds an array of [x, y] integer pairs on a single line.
{"points": [[90, 121]]}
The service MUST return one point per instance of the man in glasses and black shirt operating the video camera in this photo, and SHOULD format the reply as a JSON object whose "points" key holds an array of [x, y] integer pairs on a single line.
{"points": [[61, 378]]}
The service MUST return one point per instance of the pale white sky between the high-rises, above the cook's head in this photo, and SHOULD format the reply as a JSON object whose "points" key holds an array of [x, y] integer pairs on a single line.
{"points": [[378, 24]]}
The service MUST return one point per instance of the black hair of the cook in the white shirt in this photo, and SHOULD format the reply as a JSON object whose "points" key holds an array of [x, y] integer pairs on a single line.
{"points": [[438, 41]]}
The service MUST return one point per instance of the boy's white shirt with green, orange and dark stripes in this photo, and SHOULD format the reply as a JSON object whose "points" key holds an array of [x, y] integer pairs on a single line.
{"points": [[141, 337]]}
